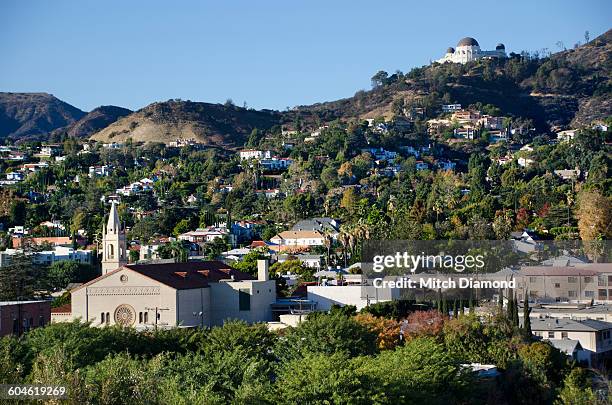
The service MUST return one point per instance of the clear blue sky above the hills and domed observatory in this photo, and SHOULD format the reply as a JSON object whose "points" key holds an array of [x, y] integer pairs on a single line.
{"points": [[269, 54]]}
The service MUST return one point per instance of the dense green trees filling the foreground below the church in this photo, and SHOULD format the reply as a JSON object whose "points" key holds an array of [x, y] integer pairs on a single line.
{"points": [[330, 358]]}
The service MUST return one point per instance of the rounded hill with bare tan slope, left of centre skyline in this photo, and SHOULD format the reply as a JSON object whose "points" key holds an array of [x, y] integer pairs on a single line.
{"points": [[211, 124]]}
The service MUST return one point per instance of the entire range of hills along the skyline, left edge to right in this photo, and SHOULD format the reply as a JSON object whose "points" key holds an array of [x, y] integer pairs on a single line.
{"points": [[569, 88]]}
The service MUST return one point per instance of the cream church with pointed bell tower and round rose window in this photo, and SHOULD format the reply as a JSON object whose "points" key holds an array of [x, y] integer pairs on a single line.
{"points": [[145, 296]]}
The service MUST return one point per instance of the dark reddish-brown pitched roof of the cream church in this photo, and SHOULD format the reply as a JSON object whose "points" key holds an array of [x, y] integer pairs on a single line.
{"points": [[182, 276]]}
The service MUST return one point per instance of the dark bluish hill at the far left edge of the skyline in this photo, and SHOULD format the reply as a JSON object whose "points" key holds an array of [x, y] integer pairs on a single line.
{"points": [[34, 115]]}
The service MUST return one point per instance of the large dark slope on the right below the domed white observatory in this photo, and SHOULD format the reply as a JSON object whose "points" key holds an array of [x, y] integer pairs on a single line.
{"points": [[568, 88]]}
